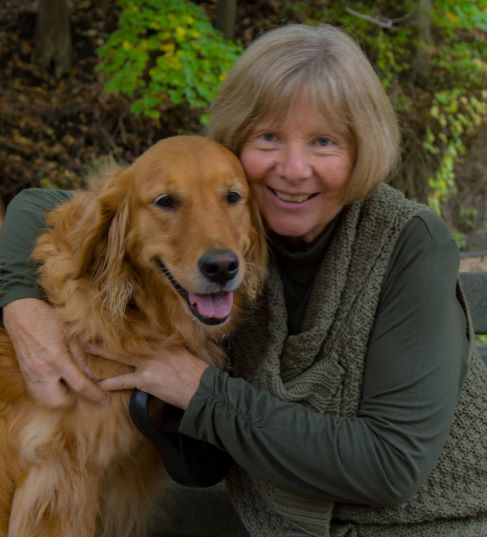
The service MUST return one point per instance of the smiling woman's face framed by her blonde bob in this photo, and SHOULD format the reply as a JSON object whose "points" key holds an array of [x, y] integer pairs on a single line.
{"points": [[299, 171]]}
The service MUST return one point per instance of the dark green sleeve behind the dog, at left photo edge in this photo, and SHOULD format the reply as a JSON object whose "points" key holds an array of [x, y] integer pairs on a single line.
{"points": [[23, 224]]}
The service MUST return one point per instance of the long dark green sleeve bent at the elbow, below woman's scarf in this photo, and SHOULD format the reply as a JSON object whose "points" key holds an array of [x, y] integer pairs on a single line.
{"points": [[413, 375]]}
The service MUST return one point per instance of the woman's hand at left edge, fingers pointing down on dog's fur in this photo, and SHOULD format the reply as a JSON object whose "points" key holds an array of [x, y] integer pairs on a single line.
{"points": [[53, 366]]}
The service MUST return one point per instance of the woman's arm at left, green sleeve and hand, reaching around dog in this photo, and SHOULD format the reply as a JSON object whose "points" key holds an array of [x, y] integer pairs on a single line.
{"points": [[52, 365]]}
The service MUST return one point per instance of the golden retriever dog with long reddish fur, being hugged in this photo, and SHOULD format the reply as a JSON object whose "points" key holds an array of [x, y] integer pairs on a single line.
{"points": [[163, 252]]}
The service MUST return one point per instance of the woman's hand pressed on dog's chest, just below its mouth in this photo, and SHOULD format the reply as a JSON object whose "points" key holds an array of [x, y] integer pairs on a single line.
{"points": [[172, 375]]}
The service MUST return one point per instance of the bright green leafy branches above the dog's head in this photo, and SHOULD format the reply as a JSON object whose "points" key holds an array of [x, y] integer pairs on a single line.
{"points": [[165, 53]]}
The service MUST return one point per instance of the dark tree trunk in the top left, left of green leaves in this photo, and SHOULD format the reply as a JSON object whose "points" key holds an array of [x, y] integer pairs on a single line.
{"points": [[53, 35]]}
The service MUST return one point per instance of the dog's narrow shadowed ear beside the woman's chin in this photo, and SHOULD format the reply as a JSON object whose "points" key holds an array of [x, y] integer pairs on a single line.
{"points": [[256, 255]]}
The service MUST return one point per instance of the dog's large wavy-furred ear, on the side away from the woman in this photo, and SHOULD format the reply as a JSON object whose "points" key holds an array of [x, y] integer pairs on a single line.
{"points": [[100, 236]]}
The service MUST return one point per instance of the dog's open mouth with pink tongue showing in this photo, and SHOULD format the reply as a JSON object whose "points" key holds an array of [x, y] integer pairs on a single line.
{"points": [[209, 308]]}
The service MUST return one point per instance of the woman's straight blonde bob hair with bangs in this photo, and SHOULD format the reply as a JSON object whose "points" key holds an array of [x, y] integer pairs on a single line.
{"points": [[324, 64]]}
